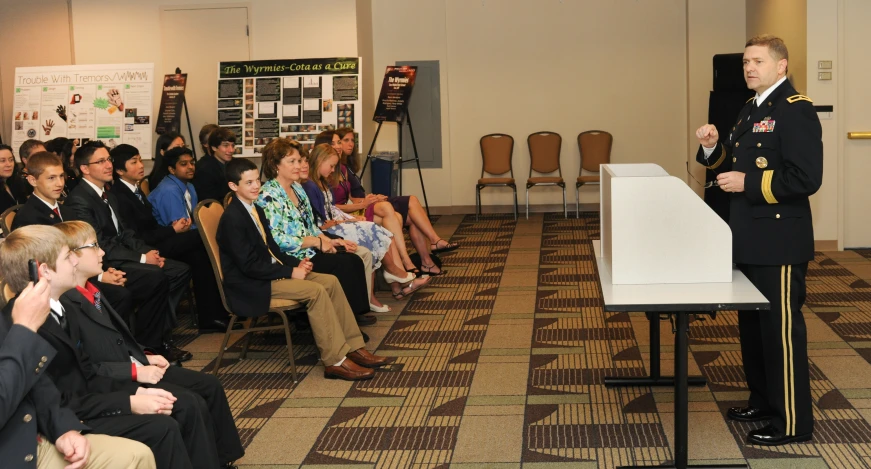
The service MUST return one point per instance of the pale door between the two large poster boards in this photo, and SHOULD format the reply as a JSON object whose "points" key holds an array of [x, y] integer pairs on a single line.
{"points": [[196, 38]]}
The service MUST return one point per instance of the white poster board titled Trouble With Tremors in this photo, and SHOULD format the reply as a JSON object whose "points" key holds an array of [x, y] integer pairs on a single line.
{"points": [[111, 103]]}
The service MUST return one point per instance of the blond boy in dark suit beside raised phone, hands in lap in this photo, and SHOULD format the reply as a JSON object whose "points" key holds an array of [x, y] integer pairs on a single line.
{"points": [[105, 406]]}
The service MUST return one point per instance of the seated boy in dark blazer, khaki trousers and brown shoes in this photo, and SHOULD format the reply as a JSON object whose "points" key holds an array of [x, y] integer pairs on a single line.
{"points": [[255, 270]]}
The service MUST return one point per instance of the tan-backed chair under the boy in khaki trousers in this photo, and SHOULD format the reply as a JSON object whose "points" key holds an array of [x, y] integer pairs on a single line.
{"points": [[207, 215]]}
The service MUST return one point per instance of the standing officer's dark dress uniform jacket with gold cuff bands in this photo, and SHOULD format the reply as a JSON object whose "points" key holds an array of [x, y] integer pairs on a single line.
{"points": [[778, 147]]}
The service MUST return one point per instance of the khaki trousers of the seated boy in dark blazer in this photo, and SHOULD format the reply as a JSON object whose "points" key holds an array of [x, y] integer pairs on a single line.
{"points": [[332, 321]]}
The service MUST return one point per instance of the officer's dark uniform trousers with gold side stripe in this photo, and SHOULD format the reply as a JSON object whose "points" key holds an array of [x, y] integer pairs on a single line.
{"points": [[774, 347]]}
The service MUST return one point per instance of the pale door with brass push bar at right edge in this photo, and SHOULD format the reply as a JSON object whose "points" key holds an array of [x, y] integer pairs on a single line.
{"points": [[857, 118]]}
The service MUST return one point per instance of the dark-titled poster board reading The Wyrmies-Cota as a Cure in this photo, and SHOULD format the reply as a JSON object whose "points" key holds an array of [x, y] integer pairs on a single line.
{"points": [[265, 99]]}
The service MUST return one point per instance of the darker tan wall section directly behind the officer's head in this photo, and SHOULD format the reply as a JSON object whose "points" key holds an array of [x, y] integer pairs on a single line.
{"points": [[788, 20]]}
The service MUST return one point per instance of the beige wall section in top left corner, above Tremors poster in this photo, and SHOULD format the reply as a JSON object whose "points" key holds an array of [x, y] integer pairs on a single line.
{"points": [[32, 33]]}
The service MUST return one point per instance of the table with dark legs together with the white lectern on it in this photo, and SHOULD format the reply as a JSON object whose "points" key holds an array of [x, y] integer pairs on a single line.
{"points": [[664, 251]]}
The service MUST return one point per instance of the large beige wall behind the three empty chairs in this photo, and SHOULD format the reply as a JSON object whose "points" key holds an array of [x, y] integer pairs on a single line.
{"points": [[518, 67]]}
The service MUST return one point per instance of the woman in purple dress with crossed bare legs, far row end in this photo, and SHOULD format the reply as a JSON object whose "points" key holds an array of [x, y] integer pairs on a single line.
{"points": [[348, 189]]}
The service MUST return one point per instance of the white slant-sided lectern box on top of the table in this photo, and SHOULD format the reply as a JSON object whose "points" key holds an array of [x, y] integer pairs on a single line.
{"points": [[656, 230]]}
